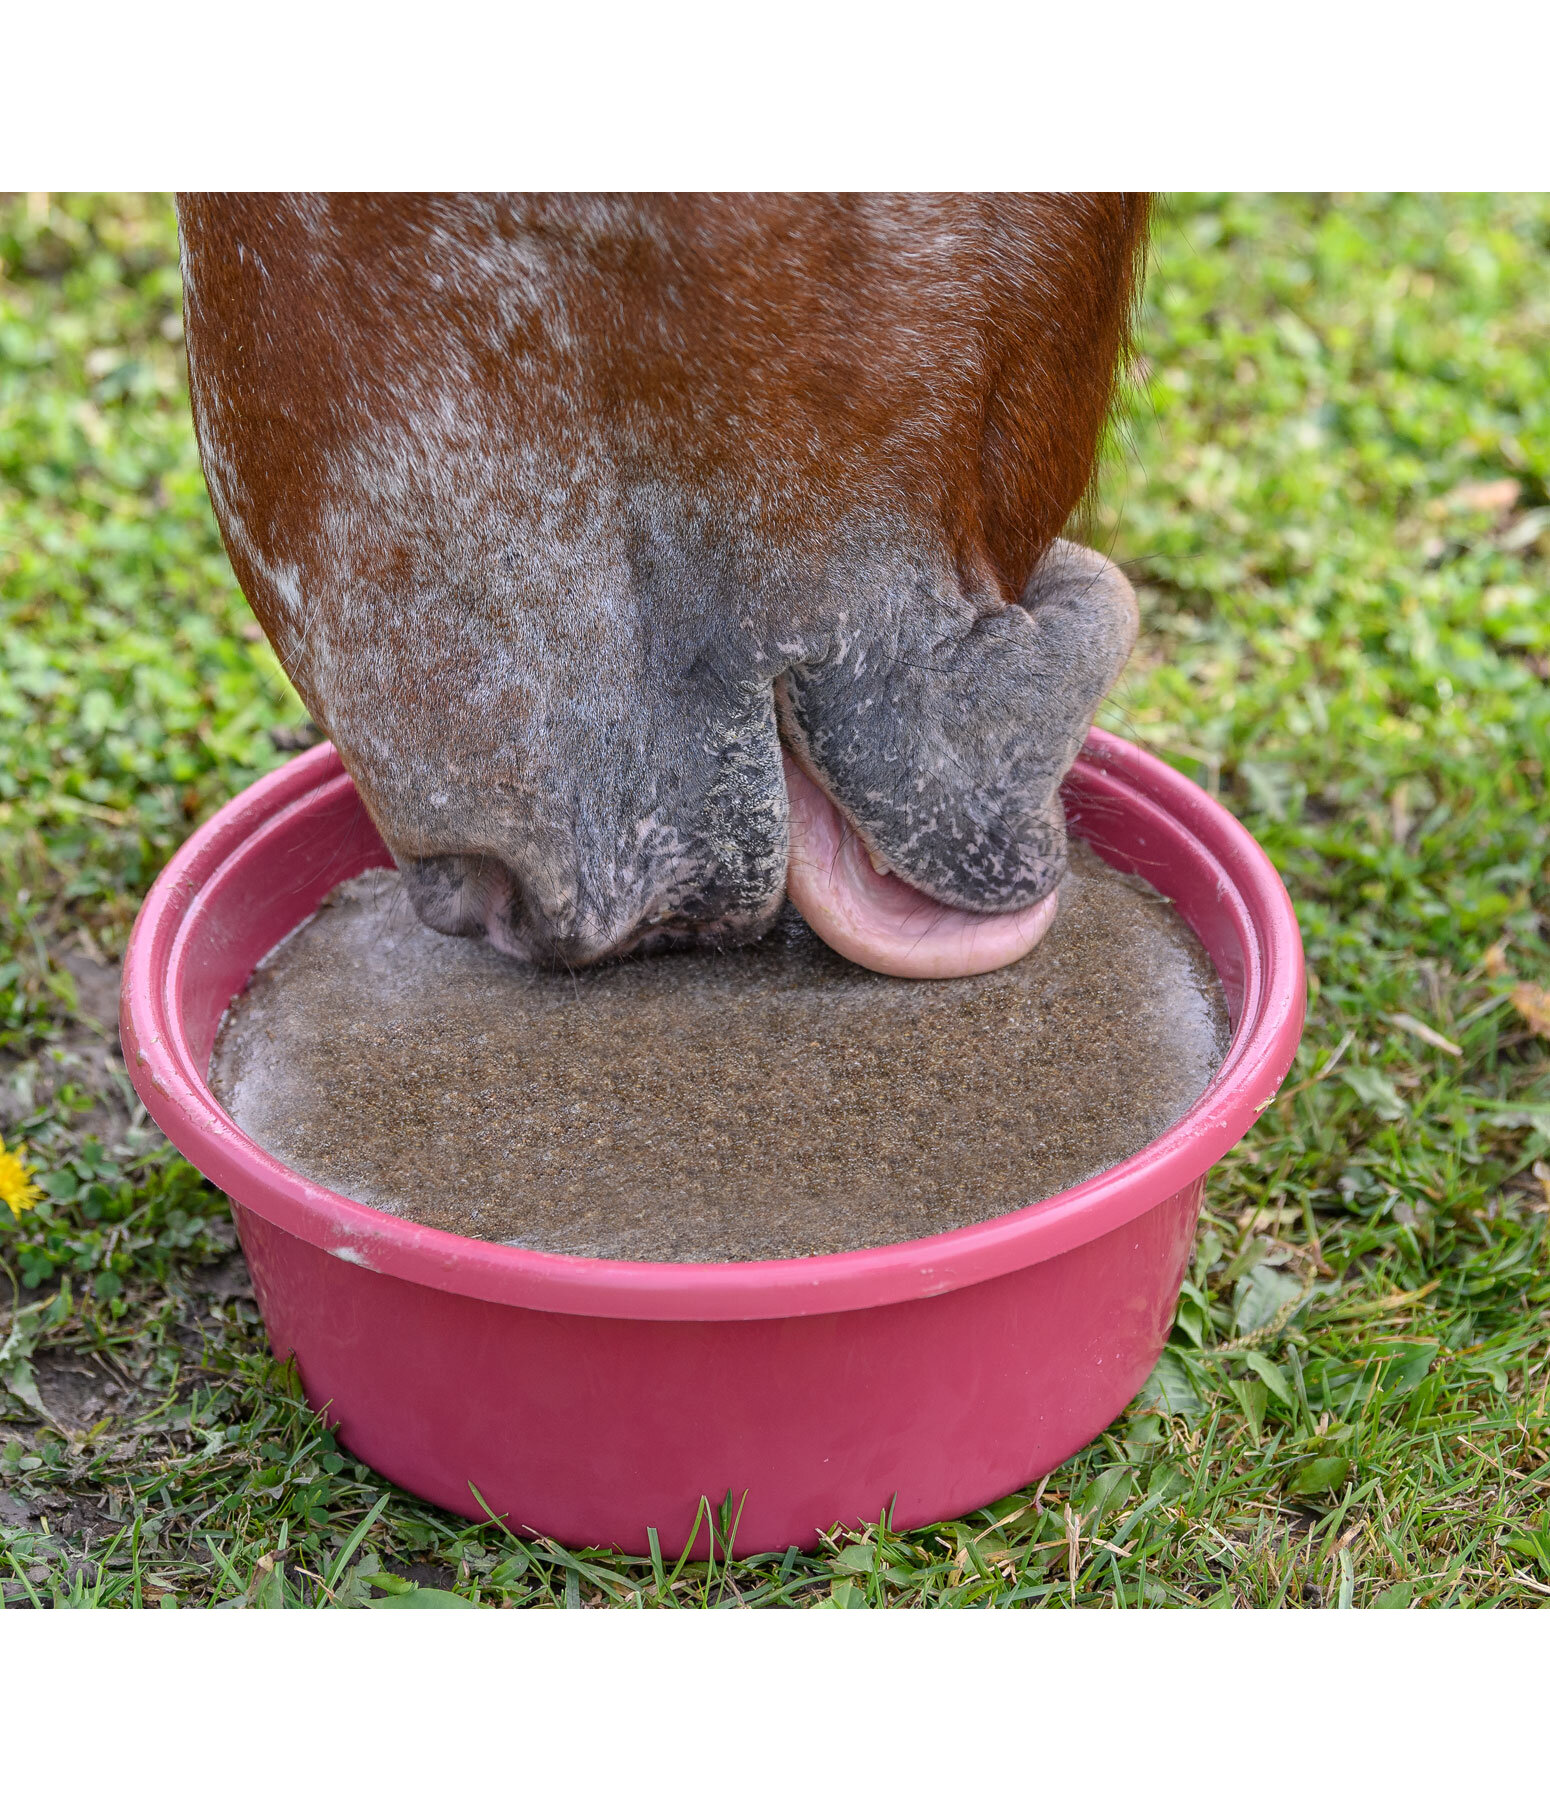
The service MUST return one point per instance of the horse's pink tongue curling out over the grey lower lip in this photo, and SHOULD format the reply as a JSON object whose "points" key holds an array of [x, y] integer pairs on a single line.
{"points": [[879, 921]]}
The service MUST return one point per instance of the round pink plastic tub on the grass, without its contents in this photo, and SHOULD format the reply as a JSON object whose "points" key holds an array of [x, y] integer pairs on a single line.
{"points": [[590, 1399]]}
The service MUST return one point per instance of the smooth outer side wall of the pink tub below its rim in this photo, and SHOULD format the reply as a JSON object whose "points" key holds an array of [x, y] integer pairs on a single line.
{"points": [[591, 1430]]}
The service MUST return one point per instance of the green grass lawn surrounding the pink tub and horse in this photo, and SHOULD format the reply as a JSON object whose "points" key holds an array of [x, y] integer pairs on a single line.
{"points": [[1335, 501]]}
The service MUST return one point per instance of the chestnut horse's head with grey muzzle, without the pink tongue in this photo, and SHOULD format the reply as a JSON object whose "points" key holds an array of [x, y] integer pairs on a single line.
{"points": [[543, 499]]}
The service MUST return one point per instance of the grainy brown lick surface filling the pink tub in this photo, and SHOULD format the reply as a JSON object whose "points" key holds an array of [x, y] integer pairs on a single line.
{"points": [[716, 1106]]}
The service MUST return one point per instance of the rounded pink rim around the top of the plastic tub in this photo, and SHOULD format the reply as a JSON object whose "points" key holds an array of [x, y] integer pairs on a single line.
{"points": [[179, 1099]]}
